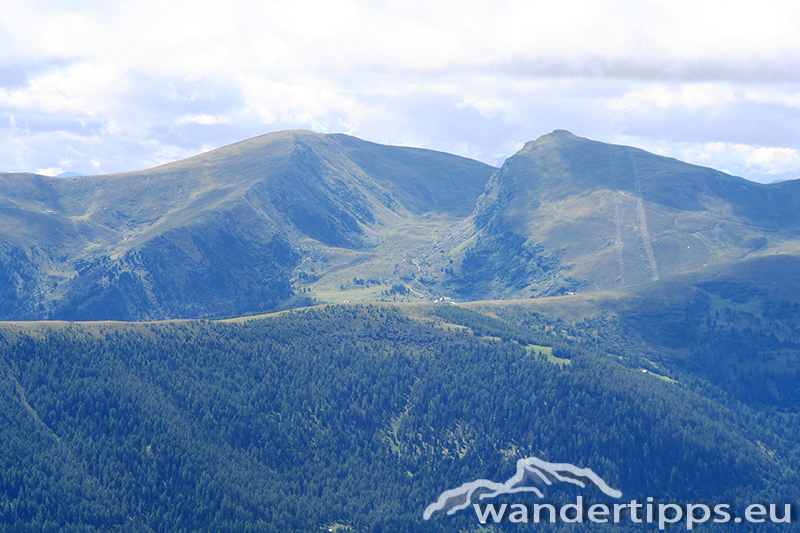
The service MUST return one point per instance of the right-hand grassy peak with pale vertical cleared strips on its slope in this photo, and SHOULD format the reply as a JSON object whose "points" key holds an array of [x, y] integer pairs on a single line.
{"points": [[617, 216]]}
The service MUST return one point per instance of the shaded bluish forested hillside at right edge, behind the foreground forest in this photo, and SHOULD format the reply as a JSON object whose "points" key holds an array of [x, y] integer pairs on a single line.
{"points": [[735, 326]]}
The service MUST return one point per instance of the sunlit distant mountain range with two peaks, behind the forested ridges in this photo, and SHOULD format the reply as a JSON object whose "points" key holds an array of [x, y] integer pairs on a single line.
{"points": [[293, 218]]}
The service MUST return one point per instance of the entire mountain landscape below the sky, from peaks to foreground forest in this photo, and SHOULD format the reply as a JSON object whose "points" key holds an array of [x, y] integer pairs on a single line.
{"points": [[304, 332]]}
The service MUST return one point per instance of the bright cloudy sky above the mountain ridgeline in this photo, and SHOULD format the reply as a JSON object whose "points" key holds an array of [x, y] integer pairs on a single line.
{"points": [[96, 87]]}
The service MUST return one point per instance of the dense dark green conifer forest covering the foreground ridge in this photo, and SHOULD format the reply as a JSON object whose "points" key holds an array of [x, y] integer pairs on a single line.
{"points": [[353, 417]]}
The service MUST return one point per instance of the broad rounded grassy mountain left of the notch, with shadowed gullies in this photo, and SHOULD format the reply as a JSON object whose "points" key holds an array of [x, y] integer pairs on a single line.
{"points": [[154, 240]]}
